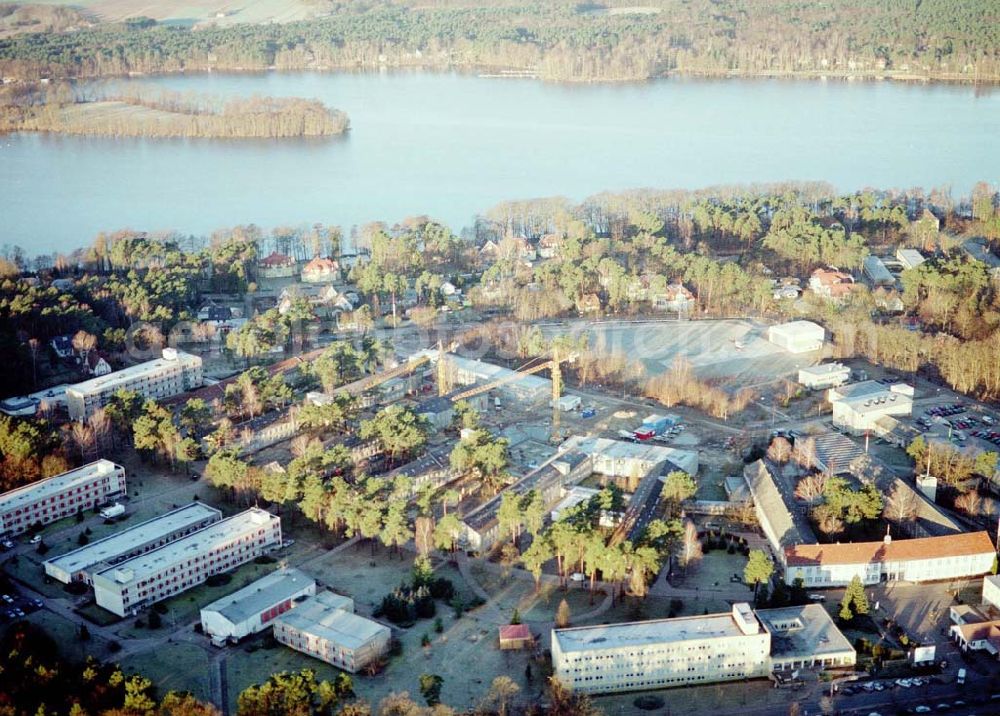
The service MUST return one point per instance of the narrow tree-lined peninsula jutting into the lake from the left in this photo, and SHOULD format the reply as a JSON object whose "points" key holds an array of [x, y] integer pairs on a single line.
{"points": [[141, 112]]}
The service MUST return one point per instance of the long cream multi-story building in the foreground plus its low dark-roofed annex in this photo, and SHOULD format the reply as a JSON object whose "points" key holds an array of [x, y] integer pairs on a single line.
{"points": [[737, 645]]}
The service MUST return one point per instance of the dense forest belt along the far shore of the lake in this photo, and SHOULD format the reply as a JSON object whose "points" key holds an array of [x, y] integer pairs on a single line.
{"points": [[920, 39]]}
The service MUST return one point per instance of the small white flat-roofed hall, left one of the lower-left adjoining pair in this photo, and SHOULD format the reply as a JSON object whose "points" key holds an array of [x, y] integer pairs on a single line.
{"points": [[253, 608]]}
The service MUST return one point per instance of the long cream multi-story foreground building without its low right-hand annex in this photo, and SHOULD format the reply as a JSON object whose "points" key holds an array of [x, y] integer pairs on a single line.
{"points": [[662, 653]]}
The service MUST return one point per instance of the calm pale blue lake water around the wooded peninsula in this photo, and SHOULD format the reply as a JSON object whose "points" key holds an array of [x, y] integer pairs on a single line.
{"points": [[453, 145]]}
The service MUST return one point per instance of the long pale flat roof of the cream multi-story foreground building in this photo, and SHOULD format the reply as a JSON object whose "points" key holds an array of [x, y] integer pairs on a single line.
{"points": [[648, 633]]}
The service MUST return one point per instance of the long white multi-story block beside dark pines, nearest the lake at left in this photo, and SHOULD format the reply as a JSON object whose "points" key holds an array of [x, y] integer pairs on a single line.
{"points": [[175, 372]]}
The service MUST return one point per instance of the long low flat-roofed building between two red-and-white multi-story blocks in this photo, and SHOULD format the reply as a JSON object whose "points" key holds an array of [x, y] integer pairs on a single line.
{"points": [[80, 564]]}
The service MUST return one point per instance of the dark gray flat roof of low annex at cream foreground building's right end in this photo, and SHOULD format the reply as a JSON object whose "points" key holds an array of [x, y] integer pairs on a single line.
{"points": [[802, 631]]}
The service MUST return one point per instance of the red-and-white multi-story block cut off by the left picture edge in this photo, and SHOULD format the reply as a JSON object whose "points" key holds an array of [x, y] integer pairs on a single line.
{"points": [[60, 496]]}
